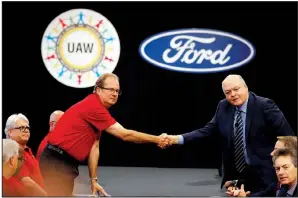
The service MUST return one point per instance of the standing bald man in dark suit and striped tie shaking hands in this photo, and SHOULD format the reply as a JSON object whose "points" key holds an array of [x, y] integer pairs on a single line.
{"points": [[248, 126]]}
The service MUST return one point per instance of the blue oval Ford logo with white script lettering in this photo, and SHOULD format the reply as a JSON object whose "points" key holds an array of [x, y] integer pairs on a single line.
{"points": [[197, 50]]}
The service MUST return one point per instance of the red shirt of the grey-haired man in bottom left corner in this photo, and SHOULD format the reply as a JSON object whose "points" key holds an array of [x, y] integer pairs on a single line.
{"points": [[12, 187]]}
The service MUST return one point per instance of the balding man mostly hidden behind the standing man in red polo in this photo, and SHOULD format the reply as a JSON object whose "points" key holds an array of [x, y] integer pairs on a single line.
{"points": [[54, 117]]}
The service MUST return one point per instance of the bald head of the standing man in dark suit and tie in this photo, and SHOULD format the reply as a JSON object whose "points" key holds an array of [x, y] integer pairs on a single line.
{"points": [[235, 89]]}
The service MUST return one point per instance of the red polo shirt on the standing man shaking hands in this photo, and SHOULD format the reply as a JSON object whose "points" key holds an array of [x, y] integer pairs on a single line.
{"points": [[80, 126]]}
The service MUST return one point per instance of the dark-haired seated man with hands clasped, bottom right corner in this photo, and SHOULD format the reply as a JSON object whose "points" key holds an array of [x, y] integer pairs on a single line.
{"points": [[285, 164]]}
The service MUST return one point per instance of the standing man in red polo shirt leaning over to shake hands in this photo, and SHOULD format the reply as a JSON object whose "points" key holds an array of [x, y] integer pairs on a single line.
{"points": [[77, 135]]}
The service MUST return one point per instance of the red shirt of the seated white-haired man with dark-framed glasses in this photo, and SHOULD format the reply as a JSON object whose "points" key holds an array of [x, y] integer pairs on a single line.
{"points": [[30, 168]]}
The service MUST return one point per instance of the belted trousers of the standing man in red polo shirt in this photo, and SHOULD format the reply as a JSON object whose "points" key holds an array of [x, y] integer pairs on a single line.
{"points": [[59, 171]]}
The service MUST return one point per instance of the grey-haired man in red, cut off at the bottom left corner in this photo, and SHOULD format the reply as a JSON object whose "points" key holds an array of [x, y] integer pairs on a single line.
{"points": [[10, 186]]}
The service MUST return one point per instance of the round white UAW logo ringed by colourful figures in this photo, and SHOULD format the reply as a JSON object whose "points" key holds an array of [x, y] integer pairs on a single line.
{"points": [[78, 46]]}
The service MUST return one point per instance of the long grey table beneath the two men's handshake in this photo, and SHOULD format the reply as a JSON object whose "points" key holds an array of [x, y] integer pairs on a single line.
{"points": [[151, 182]]}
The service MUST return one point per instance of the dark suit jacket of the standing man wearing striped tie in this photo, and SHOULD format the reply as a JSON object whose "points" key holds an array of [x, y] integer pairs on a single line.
{"points": [[264, 122]]}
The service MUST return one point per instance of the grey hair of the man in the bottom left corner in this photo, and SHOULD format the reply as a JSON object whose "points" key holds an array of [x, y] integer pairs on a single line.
{"points": [[10, 148]]}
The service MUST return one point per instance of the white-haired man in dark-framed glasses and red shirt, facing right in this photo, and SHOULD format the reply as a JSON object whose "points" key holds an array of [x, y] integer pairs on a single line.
{"points": [[17, 128]]}
